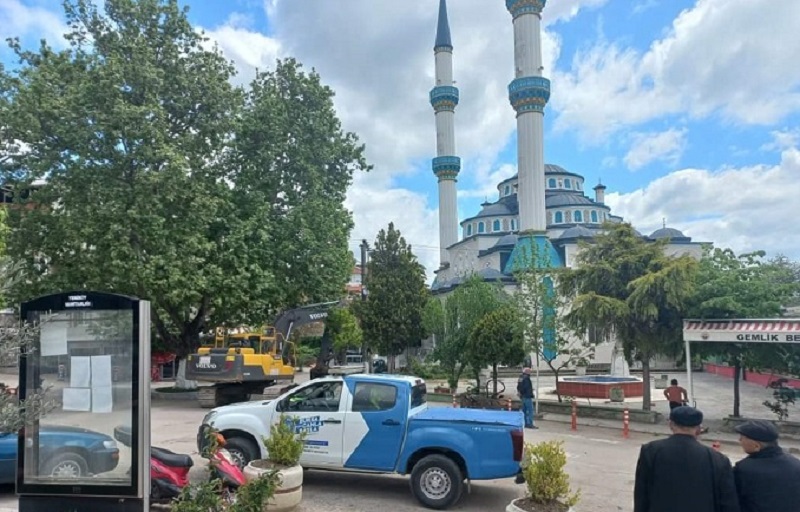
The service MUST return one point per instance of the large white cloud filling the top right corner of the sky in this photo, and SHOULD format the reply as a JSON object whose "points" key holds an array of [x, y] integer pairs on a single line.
{"points": [[735, 58]]}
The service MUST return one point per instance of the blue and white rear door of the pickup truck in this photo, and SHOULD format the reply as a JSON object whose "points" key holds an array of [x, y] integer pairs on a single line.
{"points": [[375, 425]]}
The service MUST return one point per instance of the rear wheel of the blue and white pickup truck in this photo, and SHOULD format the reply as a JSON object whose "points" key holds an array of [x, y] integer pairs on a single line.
{"points": [[437, 482]]}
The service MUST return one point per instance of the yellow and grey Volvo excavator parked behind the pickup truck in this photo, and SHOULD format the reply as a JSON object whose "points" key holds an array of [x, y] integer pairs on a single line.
{"points": [[240, 362]]}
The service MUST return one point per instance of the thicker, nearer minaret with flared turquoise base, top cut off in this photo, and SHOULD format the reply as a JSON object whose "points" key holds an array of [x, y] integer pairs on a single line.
{"points": [[528, 94]]}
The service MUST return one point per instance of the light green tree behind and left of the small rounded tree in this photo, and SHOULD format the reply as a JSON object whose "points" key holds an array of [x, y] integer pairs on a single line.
{"points": [[468, 304]]}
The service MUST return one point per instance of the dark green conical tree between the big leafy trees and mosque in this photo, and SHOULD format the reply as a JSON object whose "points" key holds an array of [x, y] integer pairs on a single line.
{"points": [[391, 317]]}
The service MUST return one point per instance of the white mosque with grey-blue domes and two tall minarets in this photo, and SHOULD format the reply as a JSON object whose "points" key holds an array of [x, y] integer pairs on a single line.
{"points": [[543, 210]]}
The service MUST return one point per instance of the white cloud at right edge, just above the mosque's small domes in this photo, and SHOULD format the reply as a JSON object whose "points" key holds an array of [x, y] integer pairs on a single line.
{"points": [[745, 209]]}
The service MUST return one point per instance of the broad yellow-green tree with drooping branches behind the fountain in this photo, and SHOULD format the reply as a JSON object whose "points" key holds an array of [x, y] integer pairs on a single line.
{"points": [[627, 287]]}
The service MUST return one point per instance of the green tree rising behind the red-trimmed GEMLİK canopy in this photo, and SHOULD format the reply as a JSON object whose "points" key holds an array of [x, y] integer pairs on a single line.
{"points": [[740, 286]]}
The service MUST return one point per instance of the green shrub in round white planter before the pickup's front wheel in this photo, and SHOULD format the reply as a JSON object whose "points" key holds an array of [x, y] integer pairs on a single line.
{"points": [[284, 448]]}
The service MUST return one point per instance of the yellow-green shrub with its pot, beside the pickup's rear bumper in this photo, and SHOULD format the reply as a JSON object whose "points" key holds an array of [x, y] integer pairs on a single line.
{"points": [[547, 483]]}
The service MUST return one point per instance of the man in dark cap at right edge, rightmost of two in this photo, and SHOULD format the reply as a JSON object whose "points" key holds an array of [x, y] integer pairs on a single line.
{"points": [[767, 479]]}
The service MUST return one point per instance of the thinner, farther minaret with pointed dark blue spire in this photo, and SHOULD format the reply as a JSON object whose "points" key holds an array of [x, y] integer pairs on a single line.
{"points": [[444, 98]]}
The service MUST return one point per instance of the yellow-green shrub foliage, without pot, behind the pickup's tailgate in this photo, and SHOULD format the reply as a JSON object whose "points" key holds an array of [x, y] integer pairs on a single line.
{"points": [[543, 467]]}
